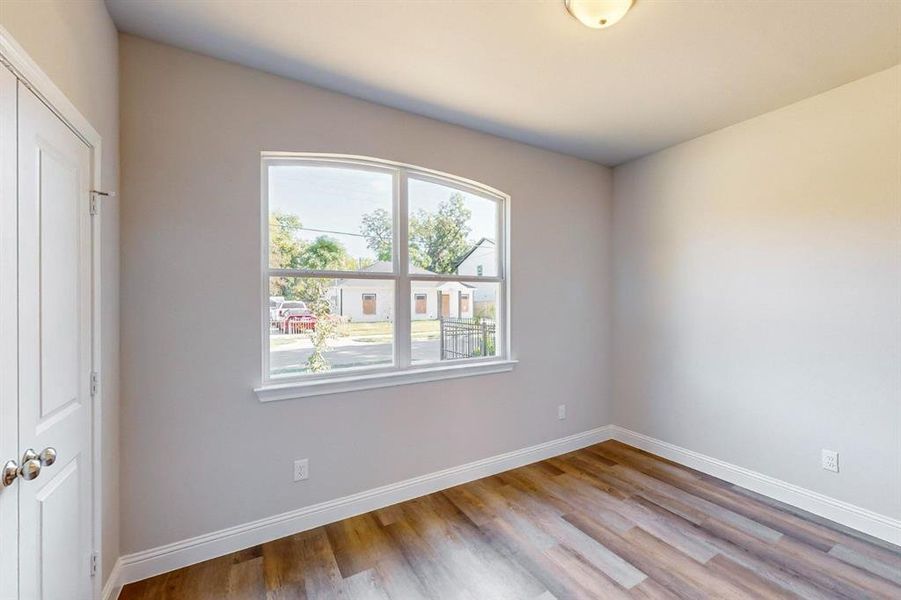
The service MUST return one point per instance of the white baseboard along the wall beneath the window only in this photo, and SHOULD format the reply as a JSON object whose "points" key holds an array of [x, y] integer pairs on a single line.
{"points": [[141, 565]]}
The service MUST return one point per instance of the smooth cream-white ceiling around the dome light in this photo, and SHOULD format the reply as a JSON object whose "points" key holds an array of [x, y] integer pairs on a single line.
{"points": [[526, 70]]}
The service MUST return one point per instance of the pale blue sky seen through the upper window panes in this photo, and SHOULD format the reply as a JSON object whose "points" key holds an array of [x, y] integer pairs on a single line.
{"points": [[334, 200]]}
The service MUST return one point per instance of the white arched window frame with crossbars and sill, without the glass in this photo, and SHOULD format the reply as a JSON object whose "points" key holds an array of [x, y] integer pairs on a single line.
{"points": [[401, 371]]}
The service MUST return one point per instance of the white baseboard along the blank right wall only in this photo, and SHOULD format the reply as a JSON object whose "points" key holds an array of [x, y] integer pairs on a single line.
{"points": [[861, 519]]}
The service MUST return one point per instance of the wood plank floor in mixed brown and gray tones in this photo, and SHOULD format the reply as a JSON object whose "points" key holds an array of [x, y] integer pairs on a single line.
{"points": [[608, 521]]}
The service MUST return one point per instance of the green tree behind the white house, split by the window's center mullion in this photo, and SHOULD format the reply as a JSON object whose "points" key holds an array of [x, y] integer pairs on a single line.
{"points": [[437, 239]]}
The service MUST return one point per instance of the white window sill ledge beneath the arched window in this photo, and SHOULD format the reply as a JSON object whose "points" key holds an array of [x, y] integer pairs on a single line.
{"points": [[353, 383]]}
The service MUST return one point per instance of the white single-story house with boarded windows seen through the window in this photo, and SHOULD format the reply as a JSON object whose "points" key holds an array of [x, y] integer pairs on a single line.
{"points": [[371, 300]]}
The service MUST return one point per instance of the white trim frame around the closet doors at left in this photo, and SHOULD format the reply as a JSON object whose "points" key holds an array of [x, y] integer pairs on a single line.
{"points": [[14, 57]]}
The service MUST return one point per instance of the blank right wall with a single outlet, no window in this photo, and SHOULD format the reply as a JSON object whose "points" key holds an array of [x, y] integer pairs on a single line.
{"points": [[758, 293]]}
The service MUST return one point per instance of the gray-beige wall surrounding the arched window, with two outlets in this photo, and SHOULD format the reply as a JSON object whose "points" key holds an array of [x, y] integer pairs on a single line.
{"points": [[200, 453]]}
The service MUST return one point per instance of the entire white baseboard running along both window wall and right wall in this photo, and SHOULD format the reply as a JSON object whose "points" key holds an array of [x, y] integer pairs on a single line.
{"points": [[141, 565]]}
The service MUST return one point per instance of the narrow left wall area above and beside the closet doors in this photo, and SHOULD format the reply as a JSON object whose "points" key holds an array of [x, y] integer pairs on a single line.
{"points": [[76, 44]]}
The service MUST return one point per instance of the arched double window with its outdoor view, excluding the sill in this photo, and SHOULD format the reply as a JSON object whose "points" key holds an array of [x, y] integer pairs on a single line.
{"points": [[340, 296]]}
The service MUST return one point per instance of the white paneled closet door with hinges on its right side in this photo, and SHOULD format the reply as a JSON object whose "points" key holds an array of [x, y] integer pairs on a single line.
{"points": [[54, 338]]}
